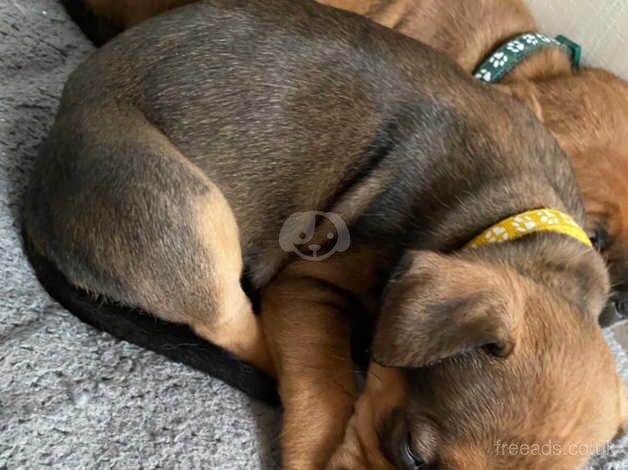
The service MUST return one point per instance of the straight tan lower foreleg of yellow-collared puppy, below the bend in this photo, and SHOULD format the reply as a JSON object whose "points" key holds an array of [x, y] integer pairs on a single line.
{"points": [[309, 339]]}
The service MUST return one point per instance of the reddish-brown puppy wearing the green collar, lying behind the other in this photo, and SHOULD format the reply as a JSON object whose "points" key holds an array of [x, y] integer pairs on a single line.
{"points": [[468, 32]]}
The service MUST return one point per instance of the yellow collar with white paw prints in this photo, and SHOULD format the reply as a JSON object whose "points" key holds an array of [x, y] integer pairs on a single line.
{"points": [[520, 225]]}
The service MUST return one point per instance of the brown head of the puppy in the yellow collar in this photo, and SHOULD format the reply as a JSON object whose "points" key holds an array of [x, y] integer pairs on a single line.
{"points": [[493, 371]]}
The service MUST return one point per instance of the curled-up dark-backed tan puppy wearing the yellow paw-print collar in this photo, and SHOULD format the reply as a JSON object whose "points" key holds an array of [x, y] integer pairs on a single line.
{"points": [[199, 146]]}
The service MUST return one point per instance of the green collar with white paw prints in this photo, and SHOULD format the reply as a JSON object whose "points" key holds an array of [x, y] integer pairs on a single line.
{"points": [[500, 62]]}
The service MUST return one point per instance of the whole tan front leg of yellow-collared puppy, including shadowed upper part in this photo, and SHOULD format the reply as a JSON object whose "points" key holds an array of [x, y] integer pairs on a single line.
{"points": [[306, 314]]}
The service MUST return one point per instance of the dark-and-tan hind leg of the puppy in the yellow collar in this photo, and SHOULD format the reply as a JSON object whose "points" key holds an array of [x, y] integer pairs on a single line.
{"points": [[123, 214]]}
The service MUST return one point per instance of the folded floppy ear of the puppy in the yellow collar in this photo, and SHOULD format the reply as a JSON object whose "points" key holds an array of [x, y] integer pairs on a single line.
{"points": [[441, 306]]}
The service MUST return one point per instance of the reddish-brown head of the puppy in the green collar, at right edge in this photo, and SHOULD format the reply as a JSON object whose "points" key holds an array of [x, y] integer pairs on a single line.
{"points": [[587, 112]]}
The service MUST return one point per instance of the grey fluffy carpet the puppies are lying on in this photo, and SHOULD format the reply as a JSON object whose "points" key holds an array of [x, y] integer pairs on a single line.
{"points": [[71, 397]]}
